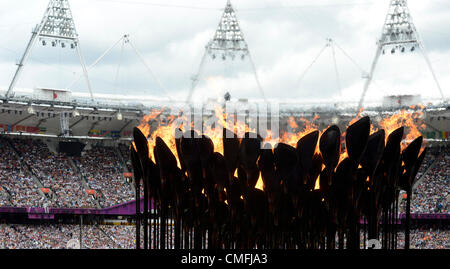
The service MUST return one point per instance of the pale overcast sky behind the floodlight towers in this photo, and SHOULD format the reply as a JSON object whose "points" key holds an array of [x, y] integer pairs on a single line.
{"points": [[284, 37]]}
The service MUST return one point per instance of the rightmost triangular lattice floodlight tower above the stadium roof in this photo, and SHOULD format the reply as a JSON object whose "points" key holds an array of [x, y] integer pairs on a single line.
{"points": [[399, 35]]}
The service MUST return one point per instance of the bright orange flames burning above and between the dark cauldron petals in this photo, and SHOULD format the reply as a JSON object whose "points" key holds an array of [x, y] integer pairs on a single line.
{"points": [[410, 119]]}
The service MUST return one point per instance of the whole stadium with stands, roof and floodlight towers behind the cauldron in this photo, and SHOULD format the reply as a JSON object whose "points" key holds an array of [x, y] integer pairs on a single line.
{"points": [[66, 166]]}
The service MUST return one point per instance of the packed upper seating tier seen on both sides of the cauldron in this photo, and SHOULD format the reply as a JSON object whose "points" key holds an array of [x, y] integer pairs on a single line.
{"points": [[34, 174]]}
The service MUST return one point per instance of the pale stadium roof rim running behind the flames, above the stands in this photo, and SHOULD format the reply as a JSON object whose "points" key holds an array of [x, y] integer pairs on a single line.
{"points": [[108, 120]]}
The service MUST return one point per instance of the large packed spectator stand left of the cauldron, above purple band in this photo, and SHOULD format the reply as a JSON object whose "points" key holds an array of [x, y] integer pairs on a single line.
{"points": [[32, 175]]}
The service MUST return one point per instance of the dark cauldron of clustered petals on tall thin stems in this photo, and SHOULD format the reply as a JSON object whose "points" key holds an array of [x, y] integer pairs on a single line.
{"points": [[204, 204]]}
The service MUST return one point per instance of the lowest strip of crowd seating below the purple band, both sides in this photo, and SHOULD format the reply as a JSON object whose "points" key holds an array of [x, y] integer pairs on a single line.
{"points": [[57, 236]]}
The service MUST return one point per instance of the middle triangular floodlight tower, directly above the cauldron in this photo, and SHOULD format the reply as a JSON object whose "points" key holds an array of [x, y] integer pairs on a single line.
{"points": [[228, 42]]}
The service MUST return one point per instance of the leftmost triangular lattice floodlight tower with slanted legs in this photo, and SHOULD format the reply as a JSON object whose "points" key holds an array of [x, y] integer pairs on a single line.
{"points": [[57, 28]]}
